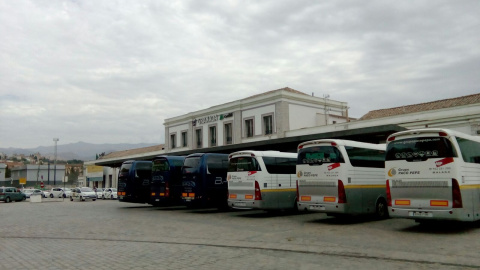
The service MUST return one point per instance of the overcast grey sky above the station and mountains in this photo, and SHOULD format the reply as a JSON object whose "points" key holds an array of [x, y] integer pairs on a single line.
{"points": [[112, 71]]}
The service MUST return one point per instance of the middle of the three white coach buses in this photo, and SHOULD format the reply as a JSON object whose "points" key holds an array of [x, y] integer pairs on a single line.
{"points": [[341, 177]]}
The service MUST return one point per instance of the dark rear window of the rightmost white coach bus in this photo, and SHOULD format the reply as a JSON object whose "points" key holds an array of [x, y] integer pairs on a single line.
{"points": [[420, 149]]}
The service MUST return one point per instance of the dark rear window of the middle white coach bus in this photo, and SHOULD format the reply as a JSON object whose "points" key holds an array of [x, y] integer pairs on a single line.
{"points": [[319, 155]]}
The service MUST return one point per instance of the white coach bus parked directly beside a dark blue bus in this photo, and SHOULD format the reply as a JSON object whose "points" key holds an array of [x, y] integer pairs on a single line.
{"points": [[262, 180]]}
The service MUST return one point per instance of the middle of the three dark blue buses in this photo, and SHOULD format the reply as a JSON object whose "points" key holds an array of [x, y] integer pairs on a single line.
{"points": [[166, 185]]}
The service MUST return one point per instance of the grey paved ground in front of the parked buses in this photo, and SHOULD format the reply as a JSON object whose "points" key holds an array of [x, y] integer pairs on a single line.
{"points": [[59, 234]]}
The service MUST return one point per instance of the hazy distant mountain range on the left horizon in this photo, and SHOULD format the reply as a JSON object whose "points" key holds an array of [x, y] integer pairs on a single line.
{"points": [[80, 151]]}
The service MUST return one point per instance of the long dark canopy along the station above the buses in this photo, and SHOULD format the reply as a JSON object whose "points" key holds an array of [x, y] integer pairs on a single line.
{"points": [[377, 134]]}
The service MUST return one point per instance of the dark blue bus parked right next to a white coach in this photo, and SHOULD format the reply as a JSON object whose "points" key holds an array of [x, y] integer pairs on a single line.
{"points": [[204, 180]]}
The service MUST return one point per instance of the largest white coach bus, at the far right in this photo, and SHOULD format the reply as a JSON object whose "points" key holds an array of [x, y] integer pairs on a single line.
{"points": [[433, 174]]}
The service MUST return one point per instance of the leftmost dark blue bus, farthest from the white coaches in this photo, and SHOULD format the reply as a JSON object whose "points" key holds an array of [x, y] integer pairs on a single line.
{"points": [[134, 181]]}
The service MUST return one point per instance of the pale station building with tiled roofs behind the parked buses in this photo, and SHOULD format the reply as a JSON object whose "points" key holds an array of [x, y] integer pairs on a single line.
{"points": [[281, 119]]}
